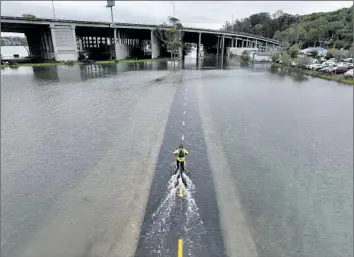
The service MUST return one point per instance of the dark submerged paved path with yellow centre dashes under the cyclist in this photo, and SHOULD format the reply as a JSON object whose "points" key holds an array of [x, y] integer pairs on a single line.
{"points": [[192, 218]]}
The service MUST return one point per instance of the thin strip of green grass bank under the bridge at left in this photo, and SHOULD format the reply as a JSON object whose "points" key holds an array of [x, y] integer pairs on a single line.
{"points": [[69, 63]]}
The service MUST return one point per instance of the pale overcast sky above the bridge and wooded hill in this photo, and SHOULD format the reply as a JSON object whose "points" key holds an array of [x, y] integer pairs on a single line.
{"points": [[209, 14]]}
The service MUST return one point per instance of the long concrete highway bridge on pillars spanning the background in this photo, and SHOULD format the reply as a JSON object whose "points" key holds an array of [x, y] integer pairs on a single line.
{"points": [[61, 40]]}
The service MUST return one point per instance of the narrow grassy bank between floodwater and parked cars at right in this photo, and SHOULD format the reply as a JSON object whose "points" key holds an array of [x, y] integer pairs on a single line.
{"points": [[332, 77]]}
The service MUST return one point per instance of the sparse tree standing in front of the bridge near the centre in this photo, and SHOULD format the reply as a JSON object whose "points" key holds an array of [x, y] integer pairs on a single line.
{"points": [[171, 35]]}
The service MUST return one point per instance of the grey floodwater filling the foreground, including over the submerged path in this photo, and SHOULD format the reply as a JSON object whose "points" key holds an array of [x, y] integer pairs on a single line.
{"points": [[86, 161]]}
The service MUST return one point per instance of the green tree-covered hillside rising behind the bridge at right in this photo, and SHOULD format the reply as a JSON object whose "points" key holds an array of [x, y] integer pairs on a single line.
{"points": [[332, 29]]}
